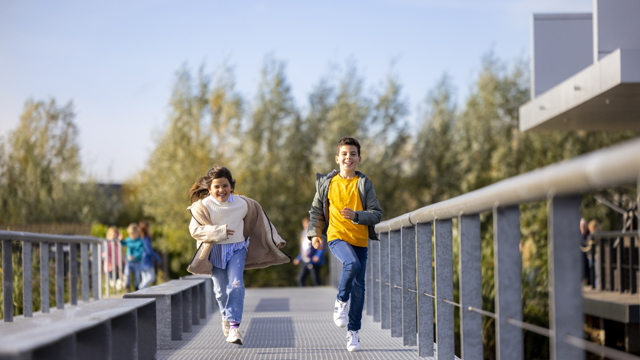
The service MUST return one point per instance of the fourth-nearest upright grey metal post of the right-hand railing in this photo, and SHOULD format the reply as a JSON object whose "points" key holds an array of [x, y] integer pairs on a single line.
{"points": [[444, 289]]}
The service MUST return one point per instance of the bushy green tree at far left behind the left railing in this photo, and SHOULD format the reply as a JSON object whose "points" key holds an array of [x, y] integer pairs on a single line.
{"points": [[40, 170]]}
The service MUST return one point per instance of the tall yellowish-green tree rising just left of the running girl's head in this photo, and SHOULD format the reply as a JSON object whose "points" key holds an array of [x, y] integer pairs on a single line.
{"points": [[183, 153]]}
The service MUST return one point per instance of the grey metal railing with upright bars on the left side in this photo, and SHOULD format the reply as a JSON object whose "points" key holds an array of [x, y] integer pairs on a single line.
{"points": [[58, 242]]}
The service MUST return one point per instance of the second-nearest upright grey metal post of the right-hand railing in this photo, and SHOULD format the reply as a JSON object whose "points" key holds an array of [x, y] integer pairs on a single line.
{"points": [[508, 272]]}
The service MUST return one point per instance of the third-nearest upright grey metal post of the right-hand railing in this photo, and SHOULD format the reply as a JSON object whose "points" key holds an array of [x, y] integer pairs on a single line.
{"points": [[470, 286]]}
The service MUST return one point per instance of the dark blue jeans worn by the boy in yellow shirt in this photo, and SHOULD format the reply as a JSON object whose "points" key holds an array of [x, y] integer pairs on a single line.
{"points": [[354, 267]]}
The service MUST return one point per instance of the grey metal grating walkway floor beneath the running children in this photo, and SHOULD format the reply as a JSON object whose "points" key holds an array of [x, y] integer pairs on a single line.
{"points": [[288, 323]]}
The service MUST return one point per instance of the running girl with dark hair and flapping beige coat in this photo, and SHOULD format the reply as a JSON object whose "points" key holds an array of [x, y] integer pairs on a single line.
{"points": [[233, 234]]}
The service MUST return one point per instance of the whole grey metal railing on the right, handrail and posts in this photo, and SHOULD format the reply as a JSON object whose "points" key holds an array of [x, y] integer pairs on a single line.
{"points": [[399, 267]]}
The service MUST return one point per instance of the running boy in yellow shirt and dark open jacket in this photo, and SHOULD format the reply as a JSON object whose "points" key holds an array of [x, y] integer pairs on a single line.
{"points": [[345, 210]]}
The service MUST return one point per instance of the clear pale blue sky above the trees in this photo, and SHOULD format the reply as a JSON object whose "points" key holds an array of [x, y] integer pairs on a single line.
{"points": [[116, 59]]}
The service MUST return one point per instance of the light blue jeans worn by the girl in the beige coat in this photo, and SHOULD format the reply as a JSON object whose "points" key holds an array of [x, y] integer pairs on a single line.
{"points": [[228, 286]]}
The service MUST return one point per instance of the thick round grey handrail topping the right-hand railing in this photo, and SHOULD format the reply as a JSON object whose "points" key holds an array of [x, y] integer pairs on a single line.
{"points": [[613, 166]]}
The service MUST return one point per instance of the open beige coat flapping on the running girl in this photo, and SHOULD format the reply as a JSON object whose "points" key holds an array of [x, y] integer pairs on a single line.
{"points": [[263, 249]]}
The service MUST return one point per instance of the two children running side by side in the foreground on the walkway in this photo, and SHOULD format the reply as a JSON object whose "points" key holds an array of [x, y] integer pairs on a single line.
{"points": [[231, 237]]}
